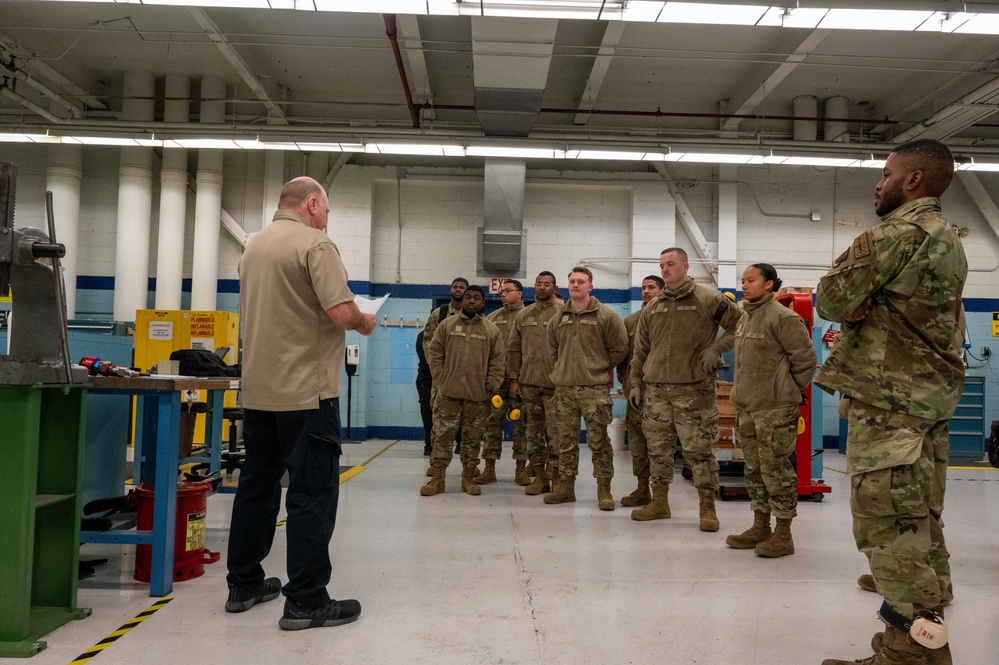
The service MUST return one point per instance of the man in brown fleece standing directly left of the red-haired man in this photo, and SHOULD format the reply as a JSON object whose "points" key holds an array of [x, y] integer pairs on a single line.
{"points": [[529, 365]]}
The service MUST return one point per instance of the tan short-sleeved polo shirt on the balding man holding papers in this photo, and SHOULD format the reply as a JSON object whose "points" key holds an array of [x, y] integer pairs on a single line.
{"points": [[290, 274]]}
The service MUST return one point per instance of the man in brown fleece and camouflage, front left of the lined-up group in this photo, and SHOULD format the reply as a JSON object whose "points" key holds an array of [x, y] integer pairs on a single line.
{"points": [[467, 357]]}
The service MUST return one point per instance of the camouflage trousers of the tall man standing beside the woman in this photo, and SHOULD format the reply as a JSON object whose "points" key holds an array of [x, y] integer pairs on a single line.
{"points": [[684, 411]]}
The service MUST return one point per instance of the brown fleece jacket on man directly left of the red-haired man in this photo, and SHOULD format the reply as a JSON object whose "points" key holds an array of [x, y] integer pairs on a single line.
{"points": [[528, 357]]}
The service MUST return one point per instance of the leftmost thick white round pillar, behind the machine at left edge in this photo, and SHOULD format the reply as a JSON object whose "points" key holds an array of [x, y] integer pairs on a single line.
{"points": [[63, 178]]}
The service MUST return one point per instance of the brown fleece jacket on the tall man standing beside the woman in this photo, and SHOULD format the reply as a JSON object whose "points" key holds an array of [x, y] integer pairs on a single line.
{"points": [[674, 331]]}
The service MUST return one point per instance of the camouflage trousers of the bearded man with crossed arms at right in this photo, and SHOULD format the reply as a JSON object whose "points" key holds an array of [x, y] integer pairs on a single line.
{"points": [[898, 468]]}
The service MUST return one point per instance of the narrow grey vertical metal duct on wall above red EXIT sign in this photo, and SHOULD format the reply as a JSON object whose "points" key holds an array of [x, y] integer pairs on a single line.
{"points": [[502, 246]]}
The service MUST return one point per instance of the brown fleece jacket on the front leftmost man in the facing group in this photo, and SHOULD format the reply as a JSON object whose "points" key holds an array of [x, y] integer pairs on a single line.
{"points": [[467, 357]]}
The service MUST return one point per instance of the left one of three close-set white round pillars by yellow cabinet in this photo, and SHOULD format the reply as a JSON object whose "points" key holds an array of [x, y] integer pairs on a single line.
{"points": [[135, 193]]}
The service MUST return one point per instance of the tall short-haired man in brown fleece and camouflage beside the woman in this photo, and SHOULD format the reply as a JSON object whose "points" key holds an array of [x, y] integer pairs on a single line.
{"points": [[673, 381]]}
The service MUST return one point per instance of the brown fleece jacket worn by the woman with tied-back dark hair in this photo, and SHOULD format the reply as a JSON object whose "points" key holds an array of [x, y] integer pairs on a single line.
{"points": [[774, 356]]}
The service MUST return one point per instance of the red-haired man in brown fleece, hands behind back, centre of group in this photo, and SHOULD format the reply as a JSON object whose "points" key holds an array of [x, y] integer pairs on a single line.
{"points": [[586, 342]]}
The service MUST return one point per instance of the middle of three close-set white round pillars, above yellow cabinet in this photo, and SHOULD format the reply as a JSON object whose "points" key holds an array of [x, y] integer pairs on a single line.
{"points": [[173, 200]]}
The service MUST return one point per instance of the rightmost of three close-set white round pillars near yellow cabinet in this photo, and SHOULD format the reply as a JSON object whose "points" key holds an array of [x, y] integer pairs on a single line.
{"points": [[208, 204]]}
